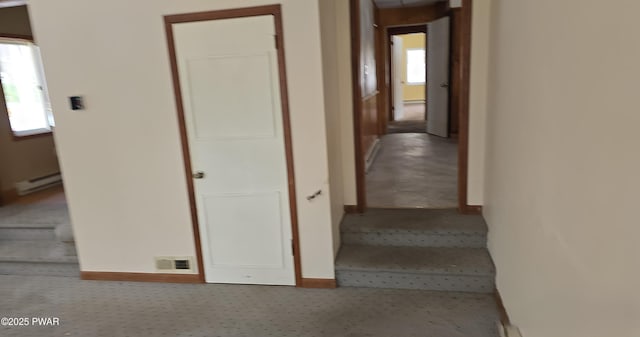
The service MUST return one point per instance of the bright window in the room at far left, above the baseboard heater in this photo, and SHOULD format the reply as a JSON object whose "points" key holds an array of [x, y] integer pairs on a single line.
{"points": [[25, 91]]}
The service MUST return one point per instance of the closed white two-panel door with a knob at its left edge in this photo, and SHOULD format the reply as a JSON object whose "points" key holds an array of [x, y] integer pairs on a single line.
{"points": [[229, 77]]}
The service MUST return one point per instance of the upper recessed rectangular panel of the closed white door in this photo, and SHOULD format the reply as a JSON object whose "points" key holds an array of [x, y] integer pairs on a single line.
{"points": [[212, 101]]}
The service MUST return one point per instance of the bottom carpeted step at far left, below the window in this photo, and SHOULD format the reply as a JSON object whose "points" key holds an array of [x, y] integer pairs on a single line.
{"points": [[50, 258]]}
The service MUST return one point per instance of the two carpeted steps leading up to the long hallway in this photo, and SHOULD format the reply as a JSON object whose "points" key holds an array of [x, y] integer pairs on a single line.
{"points": [[428, 249]]}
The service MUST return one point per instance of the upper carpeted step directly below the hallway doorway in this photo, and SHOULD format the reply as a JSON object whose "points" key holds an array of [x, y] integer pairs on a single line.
{"points": [[414, 228]]}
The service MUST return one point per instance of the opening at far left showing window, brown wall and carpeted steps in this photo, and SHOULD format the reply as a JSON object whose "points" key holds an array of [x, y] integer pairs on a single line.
{"points": [[35, 229]]}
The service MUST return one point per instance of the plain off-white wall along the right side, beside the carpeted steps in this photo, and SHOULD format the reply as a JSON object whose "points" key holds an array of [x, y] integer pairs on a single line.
{"points": [[562, 165]]}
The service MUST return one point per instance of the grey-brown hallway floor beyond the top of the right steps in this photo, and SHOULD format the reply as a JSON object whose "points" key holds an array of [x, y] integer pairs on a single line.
{"points": [[414, 171]]}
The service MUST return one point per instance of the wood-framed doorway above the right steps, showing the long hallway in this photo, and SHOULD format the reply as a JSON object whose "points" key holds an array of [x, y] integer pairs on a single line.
{"points": [[419, 157]]}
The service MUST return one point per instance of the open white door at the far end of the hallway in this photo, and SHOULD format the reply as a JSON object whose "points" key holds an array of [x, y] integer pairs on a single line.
{"points": [[438, 77]]}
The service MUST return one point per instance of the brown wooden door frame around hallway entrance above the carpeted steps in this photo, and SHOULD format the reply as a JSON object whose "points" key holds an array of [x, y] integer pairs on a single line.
{"points": [[462, 16]]}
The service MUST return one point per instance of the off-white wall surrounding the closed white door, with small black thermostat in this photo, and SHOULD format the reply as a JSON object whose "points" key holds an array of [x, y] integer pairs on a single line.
{"points": [[121, 158]]}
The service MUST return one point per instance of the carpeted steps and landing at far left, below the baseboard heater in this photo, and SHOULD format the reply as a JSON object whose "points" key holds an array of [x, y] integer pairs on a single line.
{"points": [[37, 240]]}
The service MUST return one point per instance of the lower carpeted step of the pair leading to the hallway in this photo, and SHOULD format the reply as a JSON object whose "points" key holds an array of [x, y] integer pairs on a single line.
{"points": [[426, 268]]}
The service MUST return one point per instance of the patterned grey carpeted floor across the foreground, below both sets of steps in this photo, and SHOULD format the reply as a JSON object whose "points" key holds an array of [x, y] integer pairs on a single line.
{"points": [[113, 309]]}
